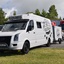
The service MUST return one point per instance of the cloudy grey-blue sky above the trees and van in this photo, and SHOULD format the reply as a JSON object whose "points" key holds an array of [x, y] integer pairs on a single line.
{"points": [[23, 6]]}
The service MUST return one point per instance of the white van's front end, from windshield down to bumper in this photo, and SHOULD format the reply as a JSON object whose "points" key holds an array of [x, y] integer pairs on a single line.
{"points": [[12, 35]]}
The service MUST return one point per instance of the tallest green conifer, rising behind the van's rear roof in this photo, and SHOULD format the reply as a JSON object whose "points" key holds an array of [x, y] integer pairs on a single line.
{"points": [[52, 13]]}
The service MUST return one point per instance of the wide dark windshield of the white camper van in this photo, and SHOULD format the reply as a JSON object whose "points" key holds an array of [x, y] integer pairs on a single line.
{"points": [[14, 26]]}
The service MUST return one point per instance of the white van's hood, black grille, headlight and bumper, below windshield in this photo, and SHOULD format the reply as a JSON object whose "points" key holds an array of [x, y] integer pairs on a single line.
{"points": [[11, 40]]}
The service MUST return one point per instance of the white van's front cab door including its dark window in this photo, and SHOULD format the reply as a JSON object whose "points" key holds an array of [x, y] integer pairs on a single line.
{"points": [[31, 33]]}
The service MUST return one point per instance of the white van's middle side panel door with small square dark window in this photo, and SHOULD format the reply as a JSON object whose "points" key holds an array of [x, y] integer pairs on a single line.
{"points": [[40, 34]]}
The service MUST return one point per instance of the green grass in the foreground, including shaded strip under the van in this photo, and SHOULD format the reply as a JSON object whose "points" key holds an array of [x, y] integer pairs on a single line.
{"points": [[35, 56]]}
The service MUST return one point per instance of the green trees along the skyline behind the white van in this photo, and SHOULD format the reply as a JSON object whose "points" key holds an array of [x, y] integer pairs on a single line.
{"points": [[51, 14]]}
